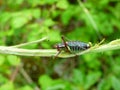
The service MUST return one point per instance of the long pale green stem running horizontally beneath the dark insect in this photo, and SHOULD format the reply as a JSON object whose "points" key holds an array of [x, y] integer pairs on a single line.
{"points": [[113, 45]]}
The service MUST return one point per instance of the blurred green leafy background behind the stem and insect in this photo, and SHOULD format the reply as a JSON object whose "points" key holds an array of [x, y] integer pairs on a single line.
{"points": [[28, 20]]}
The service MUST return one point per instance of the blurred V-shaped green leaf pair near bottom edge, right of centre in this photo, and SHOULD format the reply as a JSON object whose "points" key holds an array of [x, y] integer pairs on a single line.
{"points": [[85, 81]]}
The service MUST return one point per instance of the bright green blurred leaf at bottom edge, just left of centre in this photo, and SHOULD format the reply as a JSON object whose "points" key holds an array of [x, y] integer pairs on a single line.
{"points": [[48, 84]]}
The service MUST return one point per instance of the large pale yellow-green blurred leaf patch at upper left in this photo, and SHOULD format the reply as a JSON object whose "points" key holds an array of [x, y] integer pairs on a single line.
{"points": [[21, 18]]}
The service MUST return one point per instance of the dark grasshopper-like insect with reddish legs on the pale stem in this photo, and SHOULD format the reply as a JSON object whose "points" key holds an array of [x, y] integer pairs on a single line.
{"points": [[72, 46]]}
